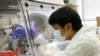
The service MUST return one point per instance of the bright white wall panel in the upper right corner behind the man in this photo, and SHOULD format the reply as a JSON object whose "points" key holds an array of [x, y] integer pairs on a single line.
{"points": [[91, 9]]}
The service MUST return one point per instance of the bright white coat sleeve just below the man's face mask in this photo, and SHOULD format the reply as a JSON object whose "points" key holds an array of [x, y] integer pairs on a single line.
{"points": [[52, 48]]}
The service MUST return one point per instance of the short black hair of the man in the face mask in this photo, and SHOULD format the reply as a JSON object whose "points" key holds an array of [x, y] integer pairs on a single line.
{"points": [[65, 15]]}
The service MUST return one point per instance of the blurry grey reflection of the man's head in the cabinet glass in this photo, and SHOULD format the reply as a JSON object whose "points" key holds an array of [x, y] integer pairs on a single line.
{"points": [[39, 20]]}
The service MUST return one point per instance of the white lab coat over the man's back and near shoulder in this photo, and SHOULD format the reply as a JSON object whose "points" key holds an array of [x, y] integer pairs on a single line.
{"points": [[84, 43]]}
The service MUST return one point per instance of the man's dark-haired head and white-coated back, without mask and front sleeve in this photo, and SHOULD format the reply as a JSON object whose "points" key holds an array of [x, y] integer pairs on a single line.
{"points": [[83, 40]]}
